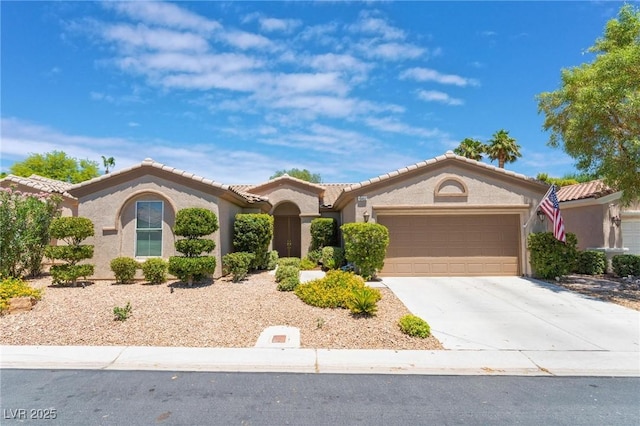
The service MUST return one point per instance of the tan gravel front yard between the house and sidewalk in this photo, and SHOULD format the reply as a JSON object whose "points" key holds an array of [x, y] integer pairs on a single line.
{"points": [[218, 314]]}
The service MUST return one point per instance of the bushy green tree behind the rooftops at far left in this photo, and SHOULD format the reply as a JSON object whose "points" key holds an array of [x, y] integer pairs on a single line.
{"points": [[56, 165]]}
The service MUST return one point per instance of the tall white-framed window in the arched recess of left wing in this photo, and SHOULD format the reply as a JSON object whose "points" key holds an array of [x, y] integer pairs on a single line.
{"points": [[149, 228]]}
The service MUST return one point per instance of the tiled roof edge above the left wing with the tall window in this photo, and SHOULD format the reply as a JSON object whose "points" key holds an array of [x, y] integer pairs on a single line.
{"points": [[154, 167]]}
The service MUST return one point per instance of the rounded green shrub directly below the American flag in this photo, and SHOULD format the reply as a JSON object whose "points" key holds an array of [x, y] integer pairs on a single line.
{"points": [[551, 258]]}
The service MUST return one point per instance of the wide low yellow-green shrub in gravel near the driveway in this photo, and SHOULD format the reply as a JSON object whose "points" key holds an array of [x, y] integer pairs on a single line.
{"points": [[332, 291]]}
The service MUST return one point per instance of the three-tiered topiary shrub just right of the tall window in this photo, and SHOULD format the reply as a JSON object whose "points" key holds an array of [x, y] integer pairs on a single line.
{"points": [[193, 223]]}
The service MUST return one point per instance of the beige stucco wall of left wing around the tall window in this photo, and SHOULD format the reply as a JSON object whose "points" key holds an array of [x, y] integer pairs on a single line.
{"points": [[112, 211]]}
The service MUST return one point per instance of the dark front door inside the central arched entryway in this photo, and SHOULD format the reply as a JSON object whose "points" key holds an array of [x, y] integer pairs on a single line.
{"points": [[286, 230]]}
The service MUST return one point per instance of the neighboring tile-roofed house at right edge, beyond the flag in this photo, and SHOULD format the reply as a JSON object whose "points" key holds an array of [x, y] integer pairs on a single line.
{"points": [[594, 213]]}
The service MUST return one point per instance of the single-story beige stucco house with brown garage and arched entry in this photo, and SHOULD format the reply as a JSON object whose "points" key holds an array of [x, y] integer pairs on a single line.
{"points": [[446, 216]]}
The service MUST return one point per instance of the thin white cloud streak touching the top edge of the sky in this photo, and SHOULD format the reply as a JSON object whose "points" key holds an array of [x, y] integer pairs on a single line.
{"points": [[165, 14]]}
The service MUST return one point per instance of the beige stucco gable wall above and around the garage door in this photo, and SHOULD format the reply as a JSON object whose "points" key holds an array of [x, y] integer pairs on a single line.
{"points": [[462, 190]]}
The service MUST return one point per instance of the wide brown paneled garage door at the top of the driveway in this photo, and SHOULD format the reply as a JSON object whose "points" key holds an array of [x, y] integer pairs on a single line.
{"points": [[472, 245]]}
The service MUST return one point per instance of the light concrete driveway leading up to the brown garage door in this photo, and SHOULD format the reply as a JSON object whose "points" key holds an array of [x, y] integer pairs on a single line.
{"points": [[511, 313]]}
